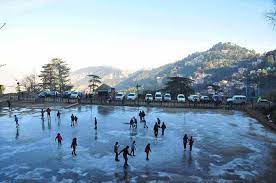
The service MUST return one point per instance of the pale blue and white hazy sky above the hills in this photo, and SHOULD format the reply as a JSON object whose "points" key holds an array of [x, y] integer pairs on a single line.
{"points": [[129, 34]]}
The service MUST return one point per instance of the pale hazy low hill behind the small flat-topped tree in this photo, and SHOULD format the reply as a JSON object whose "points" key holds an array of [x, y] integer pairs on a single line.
{"points": [[111, 76]]}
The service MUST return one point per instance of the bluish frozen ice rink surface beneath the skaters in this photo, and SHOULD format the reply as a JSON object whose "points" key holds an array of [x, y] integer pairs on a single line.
{"points": [[229, 146]]}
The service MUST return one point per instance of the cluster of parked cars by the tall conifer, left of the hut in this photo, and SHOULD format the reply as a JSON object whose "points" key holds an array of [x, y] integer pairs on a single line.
{"points": [[66, 94]]}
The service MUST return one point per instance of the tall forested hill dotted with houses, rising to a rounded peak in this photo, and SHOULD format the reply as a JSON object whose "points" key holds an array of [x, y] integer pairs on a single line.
{"points": [[219, 62]]}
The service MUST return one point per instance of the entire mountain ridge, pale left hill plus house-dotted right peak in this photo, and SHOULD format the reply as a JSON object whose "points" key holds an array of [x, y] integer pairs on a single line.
{"points": [[215, 64]]}
